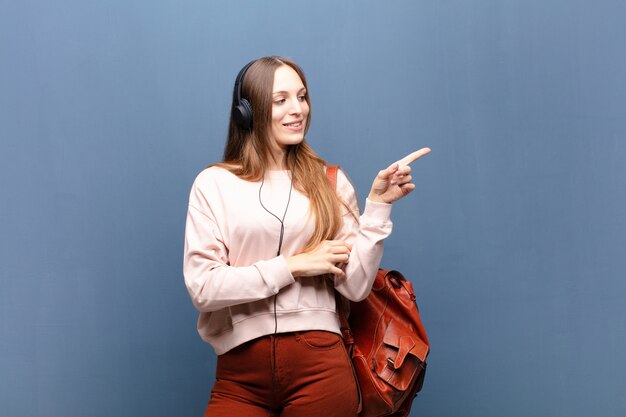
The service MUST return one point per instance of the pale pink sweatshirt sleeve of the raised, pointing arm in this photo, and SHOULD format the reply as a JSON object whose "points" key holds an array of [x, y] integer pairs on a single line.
{"points": [[366, 235]]}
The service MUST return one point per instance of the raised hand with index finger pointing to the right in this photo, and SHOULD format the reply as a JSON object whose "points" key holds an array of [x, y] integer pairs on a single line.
{"points": [[393, 183]]}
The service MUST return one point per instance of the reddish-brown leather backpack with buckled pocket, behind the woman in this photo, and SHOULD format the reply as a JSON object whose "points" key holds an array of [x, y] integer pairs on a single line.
{"points": [[386, 341]]}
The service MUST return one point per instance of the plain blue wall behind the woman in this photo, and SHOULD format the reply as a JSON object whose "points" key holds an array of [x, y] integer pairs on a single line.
{"points": [[515, 238]]}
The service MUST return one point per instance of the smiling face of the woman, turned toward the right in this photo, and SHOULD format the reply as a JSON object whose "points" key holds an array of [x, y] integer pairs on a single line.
{"points": [[290, 109]]}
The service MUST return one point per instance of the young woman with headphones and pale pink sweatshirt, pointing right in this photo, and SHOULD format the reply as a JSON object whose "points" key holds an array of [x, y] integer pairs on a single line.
{"points": [[268, 242]]}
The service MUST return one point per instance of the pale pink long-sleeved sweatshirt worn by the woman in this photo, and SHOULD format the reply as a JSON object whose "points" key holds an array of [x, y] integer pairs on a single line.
{"points": [[230, 265]]}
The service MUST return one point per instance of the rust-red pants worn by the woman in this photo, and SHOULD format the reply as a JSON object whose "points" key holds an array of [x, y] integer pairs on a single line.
{"points": [[312, 378]]}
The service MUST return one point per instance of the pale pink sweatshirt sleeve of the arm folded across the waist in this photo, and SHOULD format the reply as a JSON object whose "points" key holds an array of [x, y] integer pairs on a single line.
{"points": [[210, 279]]}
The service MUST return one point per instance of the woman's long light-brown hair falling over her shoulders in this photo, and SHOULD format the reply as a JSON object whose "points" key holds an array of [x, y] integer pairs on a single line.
{"points": [[248, 151]]}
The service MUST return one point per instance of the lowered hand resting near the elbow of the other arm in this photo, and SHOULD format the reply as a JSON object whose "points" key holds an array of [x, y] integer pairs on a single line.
{"points": [[322, 259]]}
